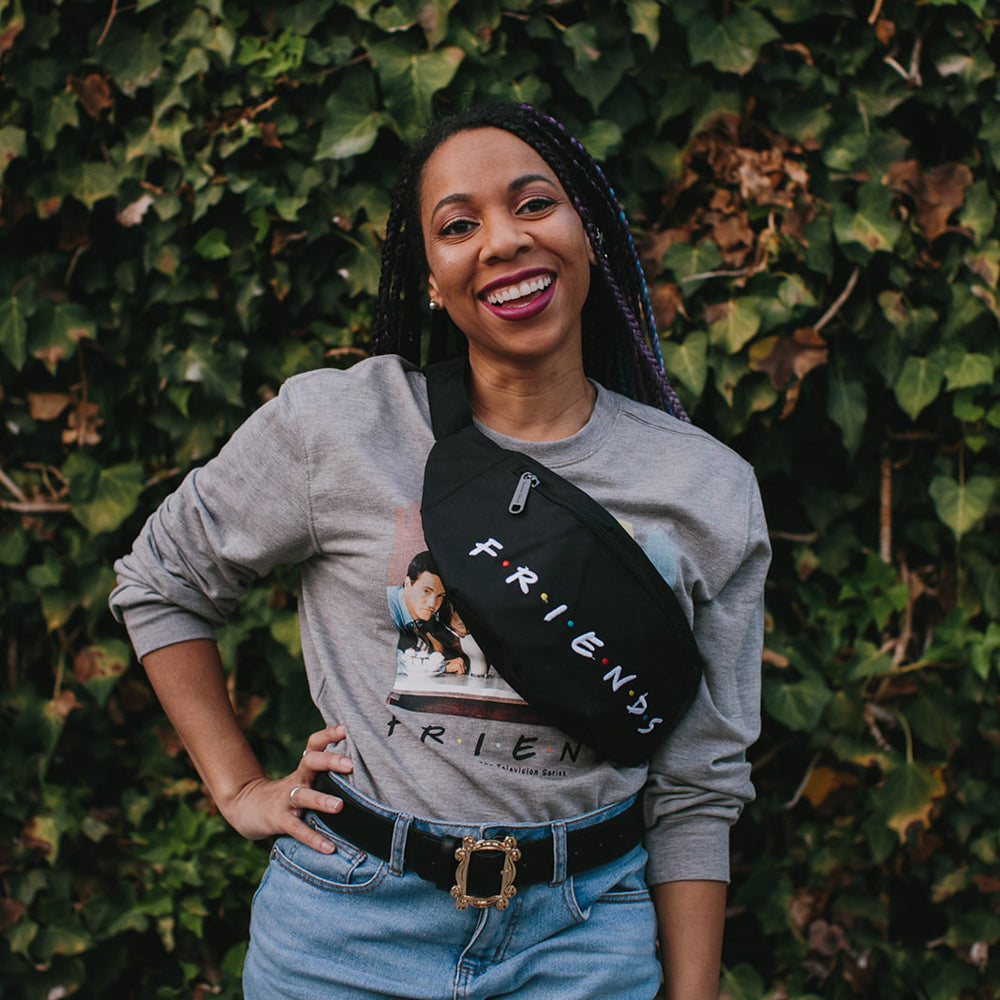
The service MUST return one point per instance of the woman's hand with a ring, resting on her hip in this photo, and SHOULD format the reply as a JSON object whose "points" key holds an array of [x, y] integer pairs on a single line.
{"points": [[264, 808]]}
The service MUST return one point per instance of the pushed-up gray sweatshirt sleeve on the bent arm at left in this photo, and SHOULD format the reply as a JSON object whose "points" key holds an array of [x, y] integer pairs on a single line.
{"points": [[228, 523]]}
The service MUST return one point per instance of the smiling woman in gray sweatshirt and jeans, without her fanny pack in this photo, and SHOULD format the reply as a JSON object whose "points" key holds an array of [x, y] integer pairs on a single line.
{"points": [[511, 230]]}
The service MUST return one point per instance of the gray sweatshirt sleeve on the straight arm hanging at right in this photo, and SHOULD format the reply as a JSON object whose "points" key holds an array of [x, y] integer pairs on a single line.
{"points": [[699, 780]]}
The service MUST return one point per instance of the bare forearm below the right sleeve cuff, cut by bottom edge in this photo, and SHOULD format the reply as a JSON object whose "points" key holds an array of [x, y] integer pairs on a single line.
{"points": [[690, 917]]}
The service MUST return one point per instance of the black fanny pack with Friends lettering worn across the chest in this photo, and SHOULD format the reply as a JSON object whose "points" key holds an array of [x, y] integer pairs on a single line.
{"points": [[563, 602]]}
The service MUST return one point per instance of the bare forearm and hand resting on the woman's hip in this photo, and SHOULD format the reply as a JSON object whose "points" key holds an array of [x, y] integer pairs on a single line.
{"points": [[188, 680]]}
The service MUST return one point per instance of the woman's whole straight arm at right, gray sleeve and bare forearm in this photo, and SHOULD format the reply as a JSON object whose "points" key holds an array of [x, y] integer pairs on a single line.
{"points": [[700, 779]]}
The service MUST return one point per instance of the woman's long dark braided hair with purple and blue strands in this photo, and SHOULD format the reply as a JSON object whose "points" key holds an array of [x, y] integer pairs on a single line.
{"points": [[620, 344]]}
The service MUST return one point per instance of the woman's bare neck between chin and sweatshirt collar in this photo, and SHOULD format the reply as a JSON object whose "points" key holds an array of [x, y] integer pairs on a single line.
{"points": [[536, 404]]}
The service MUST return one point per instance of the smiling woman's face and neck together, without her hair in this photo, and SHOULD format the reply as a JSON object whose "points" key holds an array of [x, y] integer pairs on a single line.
{"points": [[509, 261]]}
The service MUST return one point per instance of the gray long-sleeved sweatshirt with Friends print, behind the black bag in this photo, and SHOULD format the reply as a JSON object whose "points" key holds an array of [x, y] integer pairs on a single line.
{"points": [[328, 476]]}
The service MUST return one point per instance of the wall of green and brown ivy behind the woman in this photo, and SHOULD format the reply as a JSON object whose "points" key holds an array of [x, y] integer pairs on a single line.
{"points": [[191, 198]]}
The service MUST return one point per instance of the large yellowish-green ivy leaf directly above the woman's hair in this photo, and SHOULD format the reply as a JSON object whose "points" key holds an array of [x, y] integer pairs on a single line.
{"points": [[411, 79]]}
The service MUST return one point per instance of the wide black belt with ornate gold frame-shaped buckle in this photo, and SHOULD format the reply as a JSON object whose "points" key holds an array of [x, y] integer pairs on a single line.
{"points": [[482, 873]]}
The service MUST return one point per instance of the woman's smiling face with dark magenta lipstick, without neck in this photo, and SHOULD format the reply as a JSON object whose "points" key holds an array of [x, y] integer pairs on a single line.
{"points": [[507, 254]]}
